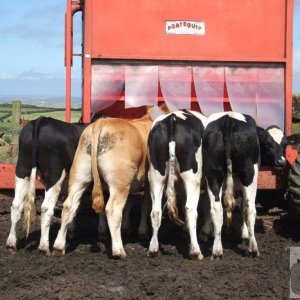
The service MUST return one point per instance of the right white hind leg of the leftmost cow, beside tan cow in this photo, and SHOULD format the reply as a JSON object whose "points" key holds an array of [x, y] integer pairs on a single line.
{"points": [[47, 211]]}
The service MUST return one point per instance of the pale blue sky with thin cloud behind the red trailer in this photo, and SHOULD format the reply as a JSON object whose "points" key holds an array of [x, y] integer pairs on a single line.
{"points": [[32, 49]]}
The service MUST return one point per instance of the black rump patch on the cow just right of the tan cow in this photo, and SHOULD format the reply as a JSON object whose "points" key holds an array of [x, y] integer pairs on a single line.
{"points": [[186, 133]]}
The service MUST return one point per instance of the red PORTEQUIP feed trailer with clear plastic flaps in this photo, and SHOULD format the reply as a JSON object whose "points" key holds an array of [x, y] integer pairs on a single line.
{"points": [[205, 55]]}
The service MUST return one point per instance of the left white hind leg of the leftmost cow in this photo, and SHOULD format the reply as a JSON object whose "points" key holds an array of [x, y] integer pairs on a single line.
{"points": [[21, 190]]}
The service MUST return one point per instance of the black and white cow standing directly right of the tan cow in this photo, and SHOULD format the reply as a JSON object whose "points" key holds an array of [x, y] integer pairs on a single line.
{"points": [[174, 150]]}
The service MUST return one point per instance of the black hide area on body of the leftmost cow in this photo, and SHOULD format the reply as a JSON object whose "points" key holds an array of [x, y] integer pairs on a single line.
{"points": [[49, 145]]}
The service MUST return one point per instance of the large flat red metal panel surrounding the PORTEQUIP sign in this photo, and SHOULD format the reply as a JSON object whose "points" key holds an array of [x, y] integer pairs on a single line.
{"points": [[248, 30]]}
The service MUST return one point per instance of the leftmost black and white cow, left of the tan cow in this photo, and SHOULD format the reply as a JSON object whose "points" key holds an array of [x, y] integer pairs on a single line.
{"points": [[46, 148]]}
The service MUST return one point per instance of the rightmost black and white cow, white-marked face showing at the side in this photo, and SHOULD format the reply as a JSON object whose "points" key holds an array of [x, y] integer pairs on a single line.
{"points": [[234, 148]]}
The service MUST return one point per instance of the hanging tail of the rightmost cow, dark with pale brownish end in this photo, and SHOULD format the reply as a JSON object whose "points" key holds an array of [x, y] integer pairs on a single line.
{"points": [[229, 199]]}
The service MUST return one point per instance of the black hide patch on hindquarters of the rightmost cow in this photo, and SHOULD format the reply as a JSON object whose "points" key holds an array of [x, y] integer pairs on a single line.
{"points": [[230, 139]]}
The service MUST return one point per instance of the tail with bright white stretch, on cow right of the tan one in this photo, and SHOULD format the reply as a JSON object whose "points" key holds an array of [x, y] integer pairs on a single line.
{"points": [[171, 193]]}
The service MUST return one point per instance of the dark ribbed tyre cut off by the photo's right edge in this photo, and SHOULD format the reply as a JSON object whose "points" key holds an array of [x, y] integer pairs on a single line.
{"points": [[293, 189]]}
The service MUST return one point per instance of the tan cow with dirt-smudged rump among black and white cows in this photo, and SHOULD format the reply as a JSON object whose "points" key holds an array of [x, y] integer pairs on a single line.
{"points": [[111, 152]]}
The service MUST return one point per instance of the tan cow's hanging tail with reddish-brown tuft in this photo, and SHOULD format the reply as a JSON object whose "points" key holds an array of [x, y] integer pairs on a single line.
{"points": [[97, 193]]}
